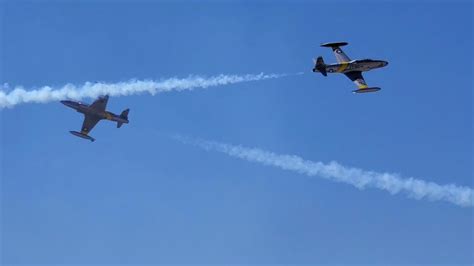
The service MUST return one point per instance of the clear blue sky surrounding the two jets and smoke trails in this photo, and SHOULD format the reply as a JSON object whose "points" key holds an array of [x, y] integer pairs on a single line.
{"points": [[134, 196]]}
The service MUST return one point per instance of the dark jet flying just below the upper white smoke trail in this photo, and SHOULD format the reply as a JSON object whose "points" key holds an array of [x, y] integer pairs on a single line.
{"points": [[93, 114]]}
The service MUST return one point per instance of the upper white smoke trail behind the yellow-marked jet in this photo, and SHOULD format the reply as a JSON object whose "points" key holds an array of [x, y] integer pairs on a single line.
{"points": [[45, 94]]}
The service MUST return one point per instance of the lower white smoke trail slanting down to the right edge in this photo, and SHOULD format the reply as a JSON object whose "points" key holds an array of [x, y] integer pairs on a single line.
{"points": [[393, 183]]}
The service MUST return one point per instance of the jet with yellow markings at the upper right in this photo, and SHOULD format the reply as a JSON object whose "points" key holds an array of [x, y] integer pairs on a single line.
{"points": [[351, 68]]}
